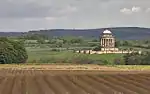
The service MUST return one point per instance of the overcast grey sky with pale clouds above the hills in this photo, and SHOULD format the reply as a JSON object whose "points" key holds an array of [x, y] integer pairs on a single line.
{"points": [[24, 15]]}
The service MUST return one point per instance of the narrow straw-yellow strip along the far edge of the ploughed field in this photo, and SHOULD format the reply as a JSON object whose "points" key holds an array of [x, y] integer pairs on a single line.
{"points": [[90, 67]]}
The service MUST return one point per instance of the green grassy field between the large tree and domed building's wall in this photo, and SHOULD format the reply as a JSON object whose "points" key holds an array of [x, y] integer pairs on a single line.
{"points": [[48, 56]]}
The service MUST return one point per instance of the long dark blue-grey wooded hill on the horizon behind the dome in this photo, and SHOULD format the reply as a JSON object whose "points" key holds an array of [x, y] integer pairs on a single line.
{"points": [[126, 33]]}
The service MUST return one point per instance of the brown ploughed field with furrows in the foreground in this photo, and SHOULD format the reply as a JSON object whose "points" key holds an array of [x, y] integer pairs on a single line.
{"points": [[15, 81]]}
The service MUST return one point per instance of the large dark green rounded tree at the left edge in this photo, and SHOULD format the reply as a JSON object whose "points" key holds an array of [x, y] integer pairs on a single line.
{"points": [[12, 52]]}
